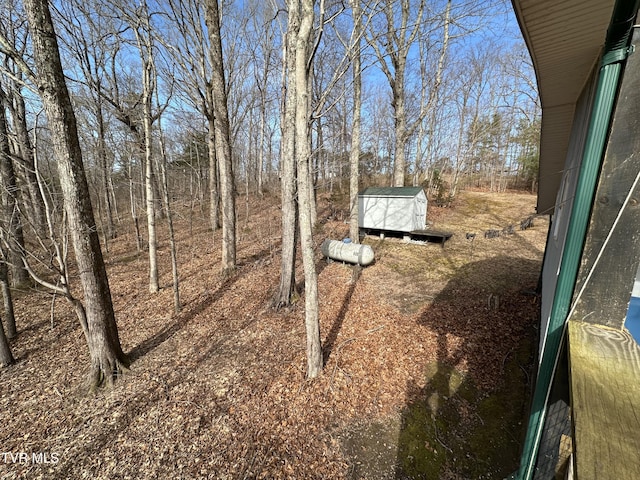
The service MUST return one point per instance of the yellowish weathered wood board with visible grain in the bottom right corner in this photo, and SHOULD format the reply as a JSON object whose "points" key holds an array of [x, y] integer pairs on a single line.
{"points": [[605, 392]]}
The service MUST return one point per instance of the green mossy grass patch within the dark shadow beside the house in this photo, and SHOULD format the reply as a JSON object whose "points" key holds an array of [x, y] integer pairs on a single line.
{"points": [[454, 429]]}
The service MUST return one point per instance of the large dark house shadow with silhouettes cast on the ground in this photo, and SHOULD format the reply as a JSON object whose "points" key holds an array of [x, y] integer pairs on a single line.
{"points": [[467, 419]]}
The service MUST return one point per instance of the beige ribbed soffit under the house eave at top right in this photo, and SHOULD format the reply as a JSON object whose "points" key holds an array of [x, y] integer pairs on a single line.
{"points": [[565, 38]]}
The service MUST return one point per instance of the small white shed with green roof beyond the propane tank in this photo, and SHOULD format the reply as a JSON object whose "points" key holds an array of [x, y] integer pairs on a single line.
{"points": [[397, 209]]}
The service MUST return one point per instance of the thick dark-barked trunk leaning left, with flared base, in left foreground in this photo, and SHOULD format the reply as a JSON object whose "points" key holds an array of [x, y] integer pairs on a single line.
{"points": [[107, 357]]}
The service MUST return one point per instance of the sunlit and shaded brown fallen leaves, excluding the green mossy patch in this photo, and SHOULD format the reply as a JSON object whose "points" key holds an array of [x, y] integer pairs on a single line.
{"points": [[218, 391]]}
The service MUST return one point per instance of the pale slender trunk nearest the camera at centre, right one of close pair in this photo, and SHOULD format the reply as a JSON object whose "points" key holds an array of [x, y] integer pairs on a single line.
{"points": [[305, 190]]}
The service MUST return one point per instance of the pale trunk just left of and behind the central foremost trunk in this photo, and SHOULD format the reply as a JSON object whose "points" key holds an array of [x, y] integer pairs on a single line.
{"points": [[286, 287]]}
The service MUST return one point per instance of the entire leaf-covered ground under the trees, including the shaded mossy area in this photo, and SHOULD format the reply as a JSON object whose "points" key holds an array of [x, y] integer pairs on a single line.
{"points": [[428, 357]]}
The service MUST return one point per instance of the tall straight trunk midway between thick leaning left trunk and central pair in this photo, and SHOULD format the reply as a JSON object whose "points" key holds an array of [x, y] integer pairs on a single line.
{"points": [[223, 139]]}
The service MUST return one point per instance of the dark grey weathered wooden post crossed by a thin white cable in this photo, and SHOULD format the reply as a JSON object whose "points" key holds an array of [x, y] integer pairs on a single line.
{"points": [[612, 245]]}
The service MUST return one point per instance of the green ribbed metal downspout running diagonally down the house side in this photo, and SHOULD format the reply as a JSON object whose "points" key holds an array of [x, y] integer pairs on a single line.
{"points": [[602, 109]]}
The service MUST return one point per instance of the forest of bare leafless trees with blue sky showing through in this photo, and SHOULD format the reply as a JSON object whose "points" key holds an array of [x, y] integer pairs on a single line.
{"points": [[112, 114]]}
